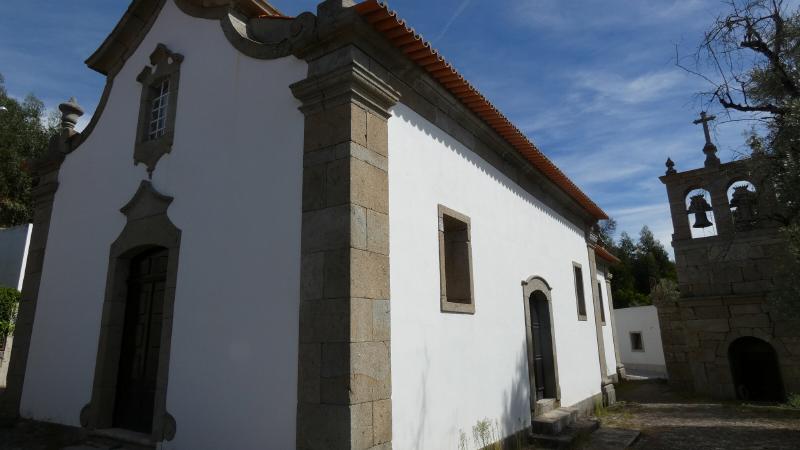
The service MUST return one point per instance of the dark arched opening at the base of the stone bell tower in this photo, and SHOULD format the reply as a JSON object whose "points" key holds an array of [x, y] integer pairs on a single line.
{"points": [[755, 370]]}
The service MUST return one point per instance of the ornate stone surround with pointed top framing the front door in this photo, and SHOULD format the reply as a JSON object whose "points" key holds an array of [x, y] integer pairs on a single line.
{"points": [[148, 227]]}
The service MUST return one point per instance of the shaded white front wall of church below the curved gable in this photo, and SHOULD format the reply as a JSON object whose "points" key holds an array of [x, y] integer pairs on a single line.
{"points": [[235, 172]]}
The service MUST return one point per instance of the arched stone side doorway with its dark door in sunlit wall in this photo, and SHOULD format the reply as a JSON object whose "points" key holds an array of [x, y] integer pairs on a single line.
{"points": [[537, 300]]}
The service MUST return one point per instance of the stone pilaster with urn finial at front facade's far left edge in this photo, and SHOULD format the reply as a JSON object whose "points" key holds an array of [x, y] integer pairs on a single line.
{"points": [[46, 185]]}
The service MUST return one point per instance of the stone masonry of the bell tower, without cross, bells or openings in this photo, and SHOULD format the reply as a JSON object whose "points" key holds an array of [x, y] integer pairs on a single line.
{"points": [[725, 282]]}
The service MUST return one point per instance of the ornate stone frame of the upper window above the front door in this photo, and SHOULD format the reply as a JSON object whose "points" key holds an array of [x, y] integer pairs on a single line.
{"points": [[164, 65]]}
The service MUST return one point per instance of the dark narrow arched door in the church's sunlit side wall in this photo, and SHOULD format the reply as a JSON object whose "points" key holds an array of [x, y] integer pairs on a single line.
{"points": [[543, 362]]}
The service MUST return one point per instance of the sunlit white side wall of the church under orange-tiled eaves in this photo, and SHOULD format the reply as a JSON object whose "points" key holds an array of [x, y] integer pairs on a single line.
{"points": [[449, 370]]}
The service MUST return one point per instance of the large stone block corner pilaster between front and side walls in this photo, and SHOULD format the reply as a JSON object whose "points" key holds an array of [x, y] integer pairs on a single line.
{"points": [[344, 391]]}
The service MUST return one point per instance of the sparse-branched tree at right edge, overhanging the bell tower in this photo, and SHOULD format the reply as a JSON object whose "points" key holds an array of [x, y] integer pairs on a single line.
{"points": [[751, 58]]}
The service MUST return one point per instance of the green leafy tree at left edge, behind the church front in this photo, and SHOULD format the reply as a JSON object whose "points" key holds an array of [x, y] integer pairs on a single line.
{"points": [[23, 139]]}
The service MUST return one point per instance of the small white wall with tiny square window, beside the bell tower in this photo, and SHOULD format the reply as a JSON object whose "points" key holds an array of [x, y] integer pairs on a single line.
{"points": [[642, 319]]}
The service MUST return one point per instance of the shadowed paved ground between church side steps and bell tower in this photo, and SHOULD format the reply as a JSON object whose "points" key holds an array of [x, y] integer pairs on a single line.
{"points": [[672, 422]]}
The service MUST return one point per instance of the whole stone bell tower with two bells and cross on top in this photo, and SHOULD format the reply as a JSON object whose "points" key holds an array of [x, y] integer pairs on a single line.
{"points": [[726, 250]]}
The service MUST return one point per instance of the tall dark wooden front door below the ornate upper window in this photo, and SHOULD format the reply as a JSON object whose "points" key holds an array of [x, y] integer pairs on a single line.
{"points": [[141, 342]]}
